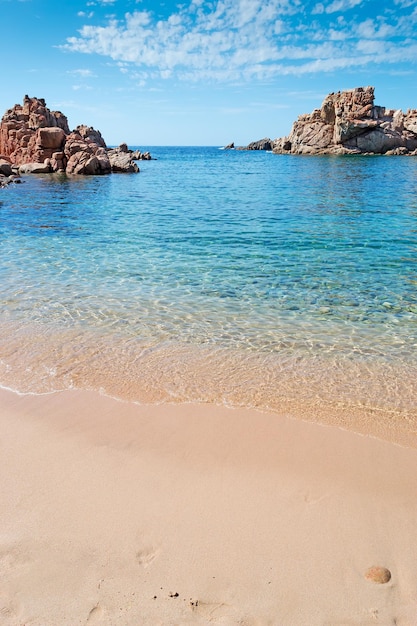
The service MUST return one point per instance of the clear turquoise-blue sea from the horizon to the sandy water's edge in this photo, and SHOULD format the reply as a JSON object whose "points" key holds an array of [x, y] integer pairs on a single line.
{"points": [[278, 282]]}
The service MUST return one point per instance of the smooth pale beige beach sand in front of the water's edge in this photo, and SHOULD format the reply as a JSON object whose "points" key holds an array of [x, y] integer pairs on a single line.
{"points": [[116, 513]]}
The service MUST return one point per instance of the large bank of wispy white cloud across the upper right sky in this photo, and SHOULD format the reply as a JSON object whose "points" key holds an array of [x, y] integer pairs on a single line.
{"points": [[235, 40]]}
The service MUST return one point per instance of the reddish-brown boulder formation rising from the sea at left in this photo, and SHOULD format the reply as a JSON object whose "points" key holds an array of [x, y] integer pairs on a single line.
{"points": [[34, 139]]}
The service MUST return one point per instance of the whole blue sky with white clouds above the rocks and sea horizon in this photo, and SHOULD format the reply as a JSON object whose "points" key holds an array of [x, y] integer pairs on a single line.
{"points": [[201, 72]]}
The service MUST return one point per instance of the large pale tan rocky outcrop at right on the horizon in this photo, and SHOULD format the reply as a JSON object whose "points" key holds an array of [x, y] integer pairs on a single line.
{"points": [[348, 122]]}
